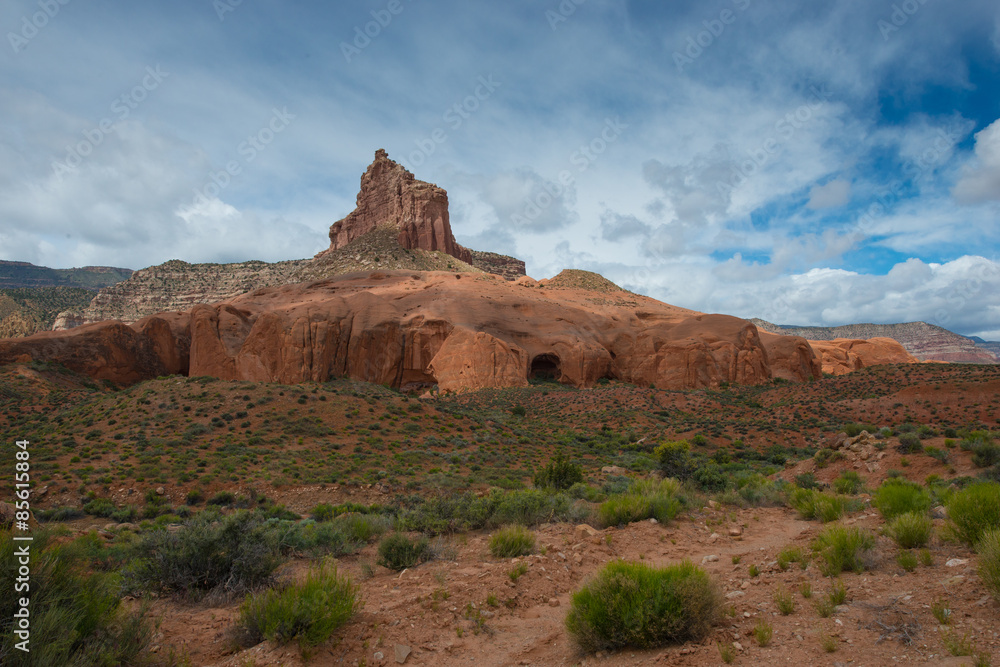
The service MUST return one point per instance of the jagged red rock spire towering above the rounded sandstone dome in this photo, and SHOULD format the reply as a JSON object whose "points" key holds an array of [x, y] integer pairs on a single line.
{"points": [[390, 195]]}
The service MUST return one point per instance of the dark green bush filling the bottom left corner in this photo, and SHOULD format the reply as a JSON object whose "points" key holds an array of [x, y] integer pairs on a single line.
{"points": [[76, 617]]}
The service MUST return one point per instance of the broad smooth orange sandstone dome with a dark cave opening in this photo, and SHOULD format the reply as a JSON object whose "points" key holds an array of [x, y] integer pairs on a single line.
{"points": [[413, 329]]}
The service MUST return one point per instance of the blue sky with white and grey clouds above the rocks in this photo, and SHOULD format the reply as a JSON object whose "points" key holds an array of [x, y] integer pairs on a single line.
{"points": [[809, 163]]}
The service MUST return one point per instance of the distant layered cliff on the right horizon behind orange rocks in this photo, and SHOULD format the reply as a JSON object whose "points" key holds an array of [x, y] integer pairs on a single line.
{"points": [[926, 342]]}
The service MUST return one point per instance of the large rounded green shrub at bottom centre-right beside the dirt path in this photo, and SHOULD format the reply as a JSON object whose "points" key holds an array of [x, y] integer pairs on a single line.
{"points": [[633, 604]]}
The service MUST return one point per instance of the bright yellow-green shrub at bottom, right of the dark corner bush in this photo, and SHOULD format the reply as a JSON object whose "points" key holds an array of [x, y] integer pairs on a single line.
{"points": [[310, 611]]}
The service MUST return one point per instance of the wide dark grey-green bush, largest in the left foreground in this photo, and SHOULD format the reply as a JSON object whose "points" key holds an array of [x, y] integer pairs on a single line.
{"points": [[235, 554]]}
